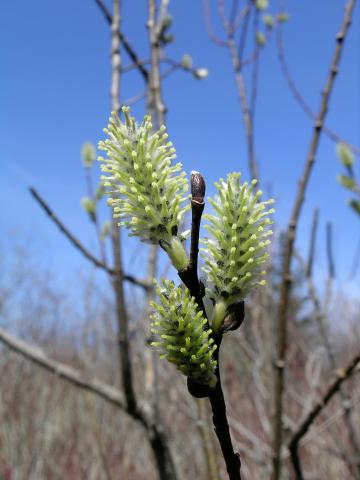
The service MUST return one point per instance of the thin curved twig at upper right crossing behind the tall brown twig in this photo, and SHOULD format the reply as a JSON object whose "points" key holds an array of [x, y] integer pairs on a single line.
{"points": [[299, 97]]}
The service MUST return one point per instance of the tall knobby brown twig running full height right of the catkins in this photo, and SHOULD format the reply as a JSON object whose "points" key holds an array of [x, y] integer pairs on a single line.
{"points": [[289, 244]]}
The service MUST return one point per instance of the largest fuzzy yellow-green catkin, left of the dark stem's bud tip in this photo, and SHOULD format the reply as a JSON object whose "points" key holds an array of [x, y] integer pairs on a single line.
{"points": [[146, 190]]}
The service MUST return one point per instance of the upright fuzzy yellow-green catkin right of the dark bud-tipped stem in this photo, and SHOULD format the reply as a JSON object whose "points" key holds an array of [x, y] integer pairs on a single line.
{"points": [[235, 252]]}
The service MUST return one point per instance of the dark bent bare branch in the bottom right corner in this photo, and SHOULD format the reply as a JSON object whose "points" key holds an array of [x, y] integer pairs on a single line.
{"points": [[334, 387]]}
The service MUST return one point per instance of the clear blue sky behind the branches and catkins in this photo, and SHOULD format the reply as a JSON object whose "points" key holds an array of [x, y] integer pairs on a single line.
{"points": [[54, 96]]}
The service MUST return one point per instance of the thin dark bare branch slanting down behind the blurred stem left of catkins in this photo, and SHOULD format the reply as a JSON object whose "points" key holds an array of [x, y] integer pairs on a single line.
{"points": [[79, 246]]}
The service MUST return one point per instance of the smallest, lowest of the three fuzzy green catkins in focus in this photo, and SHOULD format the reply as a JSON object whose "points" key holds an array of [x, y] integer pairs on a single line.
{"points": [[181, 334]]}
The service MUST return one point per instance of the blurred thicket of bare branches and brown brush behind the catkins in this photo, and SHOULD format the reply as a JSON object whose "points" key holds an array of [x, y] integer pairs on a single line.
{"points": [[91, 400]]}
